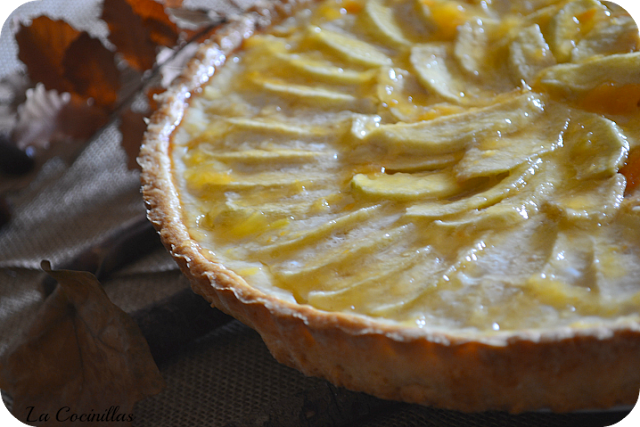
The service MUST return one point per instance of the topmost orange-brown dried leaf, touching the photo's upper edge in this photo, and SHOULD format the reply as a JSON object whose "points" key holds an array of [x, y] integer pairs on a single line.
{"points": [[136, 28]]}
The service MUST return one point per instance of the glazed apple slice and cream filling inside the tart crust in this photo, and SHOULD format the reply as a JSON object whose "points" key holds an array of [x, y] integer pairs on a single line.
{"points": [[446, 164]]}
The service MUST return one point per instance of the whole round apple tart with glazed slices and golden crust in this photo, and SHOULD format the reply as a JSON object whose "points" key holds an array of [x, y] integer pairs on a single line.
{"points": [[426, 200]]}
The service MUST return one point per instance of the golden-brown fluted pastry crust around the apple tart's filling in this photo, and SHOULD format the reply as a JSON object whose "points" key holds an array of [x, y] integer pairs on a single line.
{"points": [[563, 369]]}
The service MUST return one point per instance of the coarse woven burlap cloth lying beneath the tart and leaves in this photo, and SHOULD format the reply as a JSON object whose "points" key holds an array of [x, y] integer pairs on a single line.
{"points": [[220, 379]]}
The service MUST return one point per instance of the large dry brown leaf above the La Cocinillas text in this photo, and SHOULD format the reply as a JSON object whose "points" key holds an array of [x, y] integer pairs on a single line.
{"points": [[83, 362]]}
